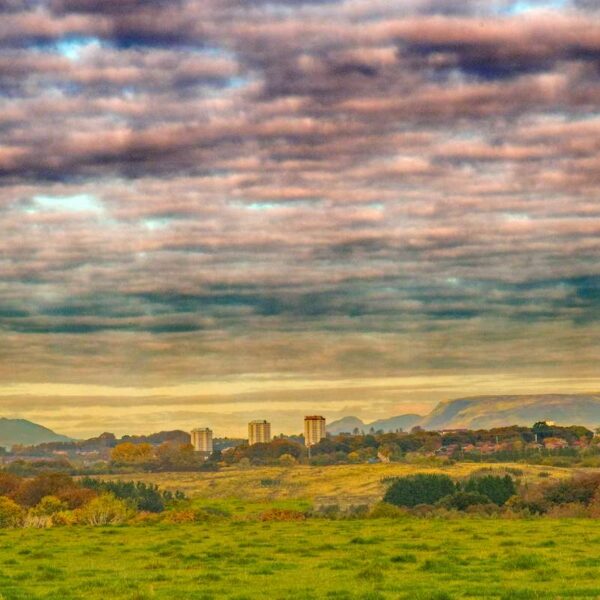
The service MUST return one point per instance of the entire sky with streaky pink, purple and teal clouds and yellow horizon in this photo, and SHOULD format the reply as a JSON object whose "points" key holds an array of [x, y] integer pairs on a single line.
{"points": [[219, 210]]}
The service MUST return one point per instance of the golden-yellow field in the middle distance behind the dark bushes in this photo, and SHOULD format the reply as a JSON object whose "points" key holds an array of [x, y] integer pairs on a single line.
{"points": [[304, 482]]}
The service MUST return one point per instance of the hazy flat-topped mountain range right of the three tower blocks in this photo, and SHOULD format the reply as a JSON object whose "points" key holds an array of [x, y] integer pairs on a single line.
{"points": [[485, 412]]}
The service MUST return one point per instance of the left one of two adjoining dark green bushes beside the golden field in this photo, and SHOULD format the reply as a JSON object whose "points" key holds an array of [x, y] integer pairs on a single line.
{"points": [[422, 488]]}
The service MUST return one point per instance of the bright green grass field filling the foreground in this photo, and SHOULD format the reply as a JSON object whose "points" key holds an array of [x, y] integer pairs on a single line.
{"points": [[363, 559]]}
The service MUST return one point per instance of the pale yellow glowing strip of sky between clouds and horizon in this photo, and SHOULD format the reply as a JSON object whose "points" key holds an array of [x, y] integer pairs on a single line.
{"points": [[82, 410]]}
